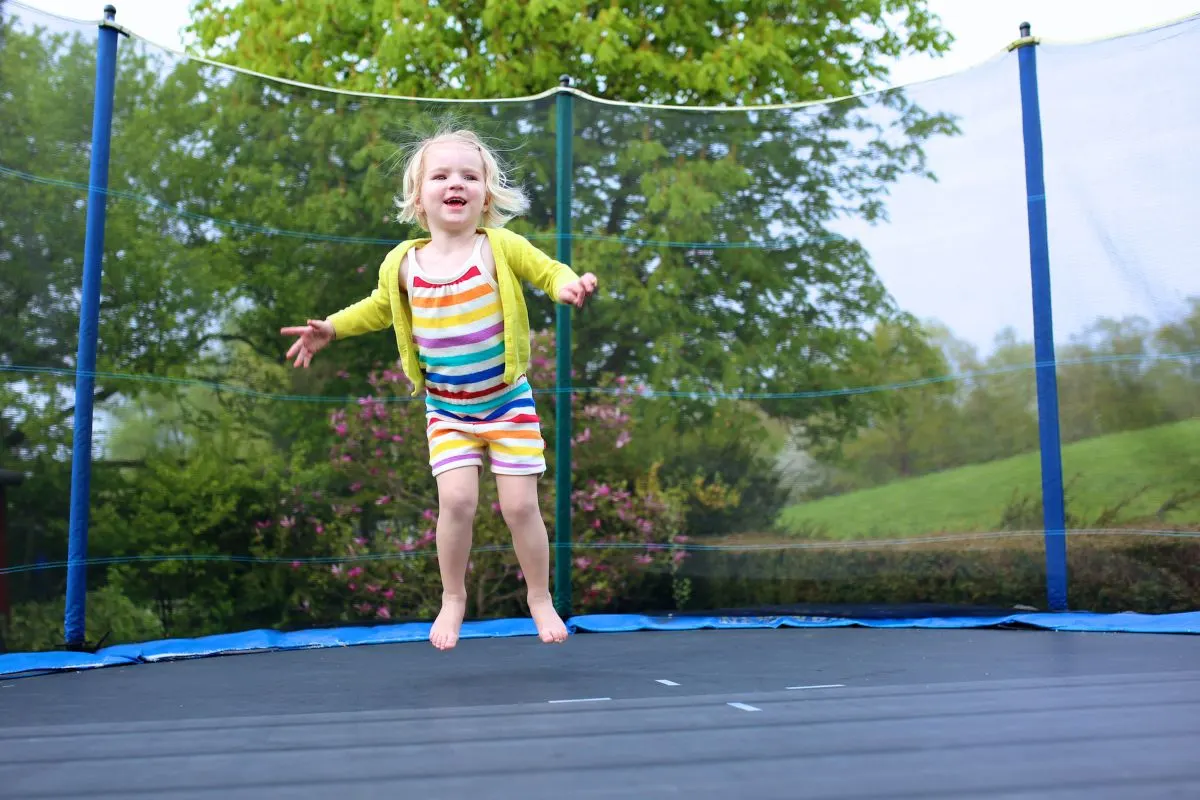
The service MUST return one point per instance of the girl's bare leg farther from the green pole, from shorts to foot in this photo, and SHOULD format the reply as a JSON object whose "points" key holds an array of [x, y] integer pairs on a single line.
{"points": [[458, 498]]}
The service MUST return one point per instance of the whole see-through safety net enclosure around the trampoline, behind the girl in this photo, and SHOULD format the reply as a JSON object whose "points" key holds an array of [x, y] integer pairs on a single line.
{"points": [[809, 382]]}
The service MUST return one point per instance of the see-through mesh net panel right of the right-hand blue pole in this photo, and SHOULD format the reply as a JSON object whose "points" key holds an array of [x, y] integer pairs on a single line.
{"points": [[1121, 178]]}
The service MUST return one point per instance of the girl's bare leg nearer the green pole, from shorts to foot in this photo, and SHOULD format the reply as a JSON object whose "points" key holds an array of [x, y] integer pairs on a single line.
{"points": [[519, 504]]}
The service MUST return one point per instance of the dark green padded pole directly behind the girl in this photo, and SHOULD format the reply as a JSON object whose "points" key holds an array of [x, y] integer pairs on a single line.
{"points": [[563, 178]]}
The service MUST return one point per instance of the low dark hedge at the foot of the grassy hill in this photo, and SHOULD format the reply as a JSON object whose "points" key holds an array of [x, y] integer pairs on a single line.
{"points": [[1106, 574]]}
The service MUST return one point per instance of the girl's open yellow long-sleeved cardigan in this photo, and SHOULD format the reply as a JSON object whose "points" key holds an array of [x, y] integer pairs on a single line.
{"points": [[515, 260]]}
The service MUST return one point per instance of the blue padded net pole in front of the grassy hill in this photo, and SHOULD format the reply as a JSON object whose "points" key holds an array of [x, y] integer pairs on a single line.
{"points": [[1054, 516]]}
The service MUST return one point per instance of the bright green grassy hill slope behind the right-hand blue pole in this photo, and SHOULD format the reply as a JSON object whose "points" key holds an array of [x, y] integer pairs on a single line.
{"points": [[1112, 480]]}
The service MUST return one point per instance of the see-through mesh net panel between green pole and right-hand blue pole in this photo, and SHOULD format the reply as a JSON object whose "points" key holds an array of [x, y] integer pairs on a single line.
{"points": [[829, 346]]}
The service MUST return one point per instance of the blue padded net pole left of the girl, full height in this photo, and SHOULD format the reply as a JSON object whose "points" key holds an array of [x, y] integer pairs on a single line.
{"points": [[89, 322]]}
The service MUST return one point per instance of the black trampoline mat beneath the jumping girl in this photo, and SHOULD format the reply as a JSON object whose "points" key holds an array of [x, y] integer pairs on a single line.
{"points": [[837, 711]]}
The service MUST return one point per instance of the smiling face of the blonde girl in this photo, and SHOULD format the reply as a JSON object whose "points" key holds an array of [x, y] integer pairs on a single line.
{"points": [[453, 194]]}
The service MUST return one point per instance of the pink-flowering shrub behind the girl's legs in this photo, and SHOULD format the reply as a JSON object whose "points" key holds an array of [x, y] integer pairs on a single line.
{"points": [[373, 527]]}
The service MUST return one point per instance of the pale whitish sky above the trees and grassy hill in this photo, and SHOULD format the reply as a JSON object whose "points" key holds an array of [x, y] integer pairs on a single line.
{"points": [[1119, 119]]}
